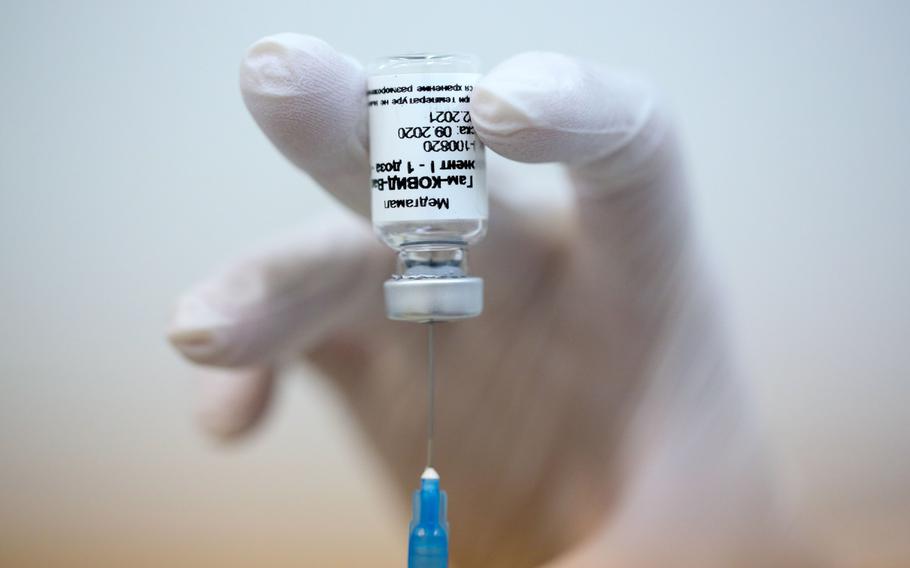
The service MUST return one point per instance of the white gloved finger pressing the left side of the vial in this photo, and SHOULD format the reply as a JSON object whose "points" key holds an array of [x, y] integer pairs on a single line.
{"points": [[310, 101]]}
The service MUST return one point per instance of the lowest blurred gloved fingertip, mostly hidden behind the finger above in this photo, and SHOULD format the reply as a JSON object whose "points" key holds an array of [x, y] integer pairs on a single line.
{"points": [[232, 401]]}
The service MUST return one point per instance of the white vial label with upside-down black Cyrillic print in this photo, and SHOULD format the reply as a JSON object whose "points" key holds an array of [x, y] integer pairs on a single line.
{"points": [[426, 163]]}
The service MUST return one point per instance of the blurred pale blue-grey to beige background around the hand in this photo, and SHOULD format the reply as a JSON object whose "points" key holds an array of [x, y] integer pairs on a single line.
{"points": [[129, 168]]}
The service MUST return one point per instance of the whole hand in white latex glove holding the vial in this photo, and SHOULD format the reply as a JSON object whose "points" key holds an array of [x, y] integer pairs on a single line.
{"points": [[589, 417]]}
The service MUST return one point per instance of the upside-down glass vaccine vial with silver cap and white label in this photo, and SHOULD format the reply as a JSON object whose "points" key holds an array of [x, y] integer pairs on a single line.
{"points": [[429, 198]]}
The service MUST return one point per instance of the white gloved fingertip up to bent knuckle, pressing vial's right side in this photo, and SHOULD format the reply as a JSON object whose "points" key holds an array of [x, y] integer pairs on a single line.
{"points": [[547, 107]]}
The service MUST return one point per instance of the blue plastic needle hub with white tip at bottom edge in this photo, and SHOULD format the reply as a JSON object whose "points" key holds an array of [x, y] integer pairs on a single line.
{"points": [[428, 544]]}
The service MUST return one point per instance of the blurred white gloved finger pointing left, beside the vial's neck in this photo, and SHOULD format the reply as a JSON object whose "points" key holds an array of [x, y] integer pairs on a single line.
{"points": [[283, 298]]}
